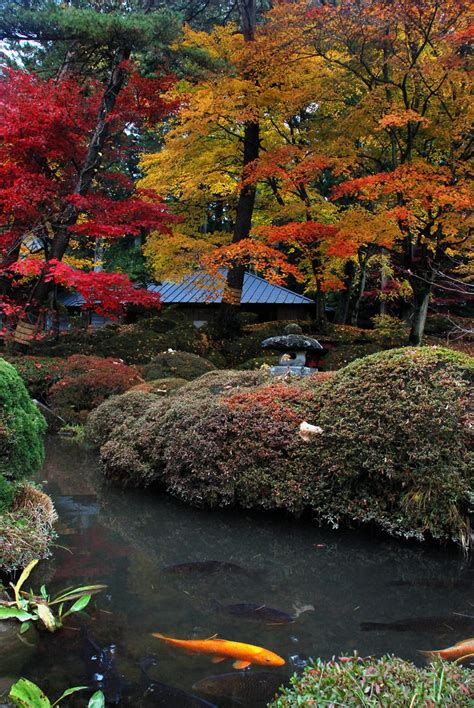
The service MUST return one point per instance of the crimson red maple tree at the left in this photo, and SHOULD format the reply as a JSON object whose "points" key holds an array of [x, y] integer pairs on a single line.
{"points": [[60, 179]]}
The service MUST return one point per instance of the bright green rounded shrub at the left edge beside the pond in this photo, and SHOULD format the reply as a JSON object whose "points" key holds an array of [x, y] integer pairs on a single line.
{"points": [[21, 430]]}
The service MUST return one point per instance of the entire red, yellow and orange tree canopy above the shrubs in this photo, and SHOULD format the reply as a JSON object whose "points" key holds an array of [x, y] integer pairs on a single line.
{"points": [[325, 144]]}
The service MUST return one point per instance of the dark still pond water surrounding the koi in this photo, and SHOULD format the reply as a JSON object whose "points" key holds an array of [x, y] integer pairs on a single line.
{"points": [[347, 590]]}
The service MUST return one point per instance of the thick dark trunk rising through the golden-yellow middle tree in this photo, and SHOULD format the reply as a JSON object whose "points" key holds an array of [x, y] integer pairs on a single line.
{"points": [[246, 202]]}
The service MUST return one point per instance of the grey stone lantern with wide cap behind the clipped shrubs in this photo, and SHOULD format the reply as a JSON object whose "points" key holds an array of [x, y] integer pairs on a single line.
{"points": [[296, 349]]}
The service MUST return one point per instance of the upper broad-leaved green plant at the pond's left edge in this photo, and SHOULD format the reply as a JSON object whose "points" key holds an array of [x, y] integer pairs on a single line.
{"points": [[28, 607]]}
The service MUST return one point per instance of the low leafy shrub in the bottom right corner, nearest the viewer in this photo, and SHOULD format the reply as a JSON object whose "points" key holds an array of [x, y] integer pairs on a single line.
{"points": [[385, 682]]}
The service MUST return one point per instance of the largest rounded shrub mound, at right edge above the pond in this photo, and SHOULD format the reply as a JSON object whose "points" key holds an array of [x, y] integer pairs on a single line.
{"points": [[393, 449]]}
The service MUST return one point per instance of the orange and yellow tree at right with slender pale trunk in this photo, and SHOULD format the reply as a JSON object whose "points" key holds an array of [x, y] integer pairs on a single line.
{"points": [[405, 141]]}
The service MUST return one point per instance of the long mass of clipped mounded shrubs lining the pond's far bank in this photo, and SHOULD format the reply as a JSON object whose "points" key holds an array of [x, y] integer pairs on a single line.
{"points": [[393, 452]]}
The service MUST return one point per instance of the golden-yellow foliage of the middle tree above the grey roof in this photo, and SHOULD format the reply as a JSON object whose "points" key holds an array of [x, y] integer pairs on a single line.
{"points": [[200, 165]]}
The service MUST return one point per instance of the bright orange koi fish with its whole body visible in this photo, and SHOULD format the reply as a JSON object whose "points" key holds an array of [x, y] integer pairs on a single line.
{"points": [[221, 649]]}
